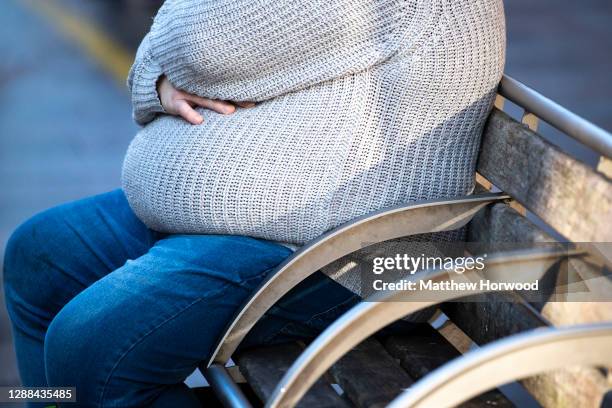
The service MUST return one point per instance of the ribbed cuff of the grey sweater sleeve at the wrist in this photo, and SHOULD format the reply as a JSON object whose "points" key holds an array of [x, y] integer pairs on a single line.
{"points": [[145, 100]]}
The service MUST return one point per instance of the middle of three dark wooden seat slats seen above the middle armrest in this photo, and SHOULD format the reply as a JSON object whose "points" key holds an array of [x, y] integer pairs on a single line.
{"points": [[369, 375]]}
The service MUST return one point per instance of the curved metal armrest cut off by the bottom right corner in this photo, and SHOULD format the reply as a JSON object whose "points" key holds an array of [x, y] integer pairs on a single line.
{"points": [[510, 359]]}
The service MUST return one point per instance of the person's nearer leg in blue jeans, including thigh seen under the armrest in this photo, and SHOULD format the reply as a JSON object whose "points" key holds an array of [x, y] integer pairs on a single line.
{"points": [[150, 323]]}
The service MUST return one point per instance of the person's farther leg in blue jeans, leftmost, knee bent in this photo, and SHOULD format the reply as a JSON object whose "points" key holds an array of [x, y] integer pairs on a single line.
{"points": [[54, 256]]}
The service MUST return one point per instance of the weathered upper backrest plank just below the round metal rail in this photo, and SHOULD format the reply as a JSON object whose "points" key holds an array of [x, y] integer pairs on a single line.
{"points": [[568, 195]]}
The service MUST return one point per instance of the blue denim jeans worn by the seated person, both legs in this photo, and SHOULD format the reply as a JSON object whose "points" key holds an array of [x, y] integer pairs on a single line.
{"points": [[123, 313]]}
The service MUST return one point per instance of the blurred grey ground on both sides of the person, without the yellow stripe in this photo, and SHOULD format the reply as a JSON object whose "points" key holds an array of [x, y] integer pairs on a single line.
{"points": [[65, 122]]}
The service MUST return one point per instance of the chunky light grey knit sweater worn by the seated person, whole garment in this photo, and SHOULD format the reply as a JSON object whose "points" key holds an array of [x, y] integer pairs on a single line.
{"points": [[362, 104]]}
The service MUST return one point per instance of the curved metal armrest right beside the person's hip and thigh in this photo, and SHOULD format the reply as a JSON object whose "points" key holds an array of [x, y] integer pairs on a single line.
{"points": [[390, 223]]}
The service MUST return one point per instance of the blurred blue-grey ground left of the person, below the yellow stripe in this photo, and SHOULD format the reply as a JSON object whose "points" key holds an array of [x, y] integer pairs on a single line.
{"points": [[64, 126]]}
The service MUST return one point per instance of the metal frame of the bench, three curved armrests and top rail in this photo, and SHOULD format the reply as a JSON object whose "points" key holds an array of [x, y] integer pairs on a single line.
{"points": [[369, 316]]}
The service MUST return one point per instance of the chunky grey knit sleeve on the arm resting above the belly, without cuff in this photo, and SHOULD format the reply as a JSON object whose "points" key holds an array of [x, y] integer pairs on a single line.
{"points": [[253, 50]]}
